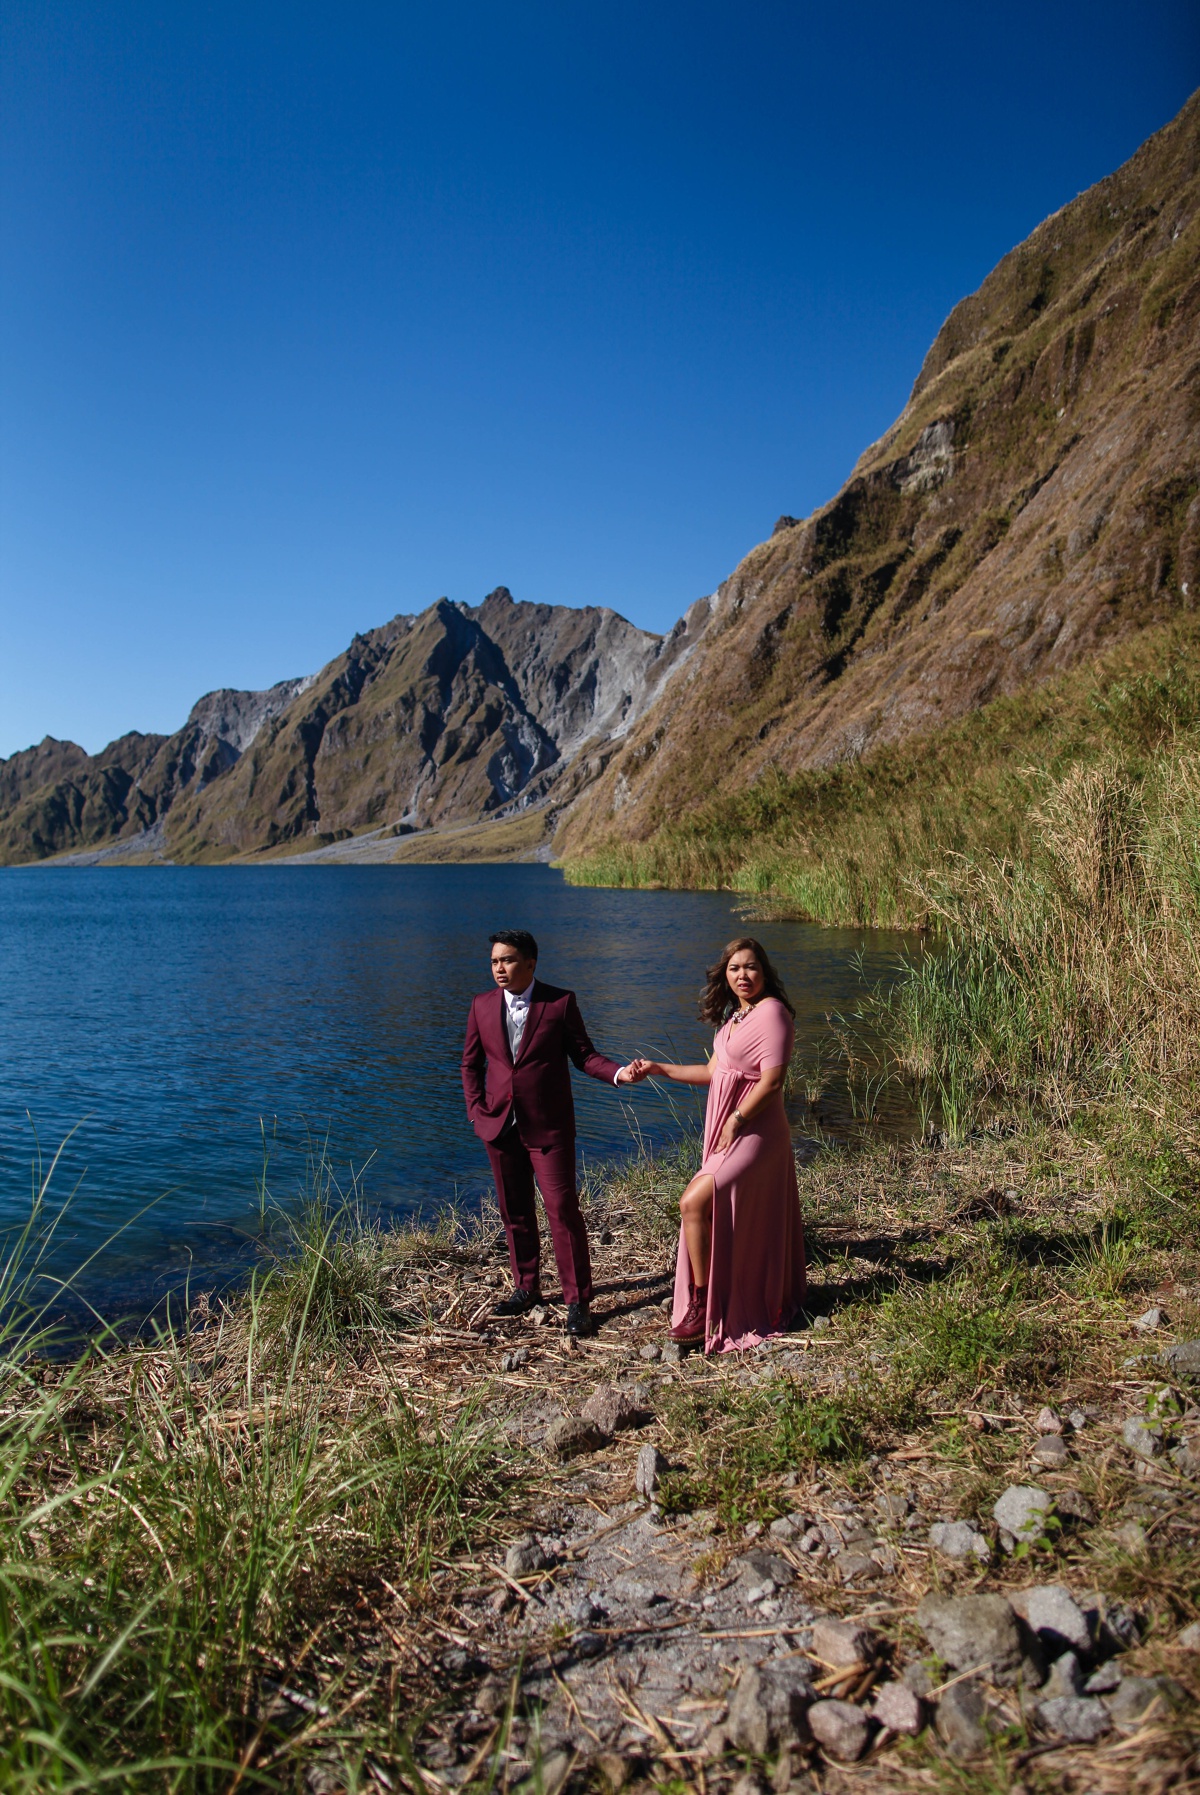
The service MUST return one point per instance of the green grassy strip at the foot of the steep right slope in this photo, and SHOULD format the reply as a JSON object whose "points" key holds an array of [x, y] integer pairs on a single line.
{"points": [[865, 841]]}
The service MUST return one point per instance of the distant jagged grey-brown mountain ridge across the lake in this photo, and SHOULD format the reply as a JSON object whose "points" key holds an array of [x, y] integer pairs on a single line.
{"points": [[455, 715]]}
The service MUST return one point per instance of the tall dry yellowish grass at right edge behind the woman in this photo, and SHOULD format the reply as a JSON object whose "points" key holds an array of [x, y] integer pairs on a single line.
{"points": [[1072, 976]]}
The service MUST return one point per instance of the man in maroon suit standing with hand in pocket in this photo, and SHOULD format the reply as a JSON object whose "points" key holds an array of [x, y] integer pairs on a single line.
{"points": [[521, 1044]]}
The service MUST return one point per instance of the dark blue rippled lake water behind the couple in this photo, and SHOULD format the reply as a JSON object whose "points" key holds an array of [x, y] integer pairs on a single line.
{"points": [[175, 1019]]}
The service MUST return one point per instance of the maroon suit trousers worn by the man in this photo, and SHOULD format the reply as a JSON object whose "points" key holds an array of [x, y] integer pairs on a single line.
{"points": [[516, 1169]]}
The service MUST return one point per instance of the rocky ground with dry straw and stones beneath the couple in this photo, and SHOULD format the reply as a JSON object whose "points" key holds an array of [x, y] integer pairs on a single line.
{"points": [[980, 1579]]}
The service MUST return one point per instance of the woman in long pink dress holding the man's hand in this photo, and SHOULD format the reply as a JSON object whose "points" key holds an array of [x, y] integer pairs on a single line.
{"points": [[740, 1272]]}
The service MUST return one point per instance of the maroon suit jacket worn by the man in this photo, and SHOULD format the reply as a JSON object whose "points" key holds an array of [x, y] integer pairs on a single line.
{"points": [[539, 1083]]}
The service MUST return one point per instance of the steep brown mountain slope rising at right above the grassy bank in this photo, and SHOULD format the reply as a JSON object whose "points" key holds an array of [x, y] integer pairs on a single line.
{"points": [[1036, 502]]}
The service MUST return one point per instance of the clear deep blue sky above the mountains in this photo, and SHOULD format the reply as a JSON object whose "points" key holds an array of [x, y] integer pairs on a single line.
{"points": [[313, 313]]}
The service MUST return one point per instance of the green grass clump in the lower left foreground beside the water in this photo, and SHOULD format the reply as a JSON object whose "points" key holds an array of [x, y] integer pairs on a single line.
{"points": [[180, 1521]]}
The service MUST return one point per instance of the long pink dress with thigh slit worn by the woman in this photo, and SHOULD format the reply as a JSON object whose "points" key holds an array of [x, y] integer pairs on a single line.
{"points": [[756, 1281]]}
